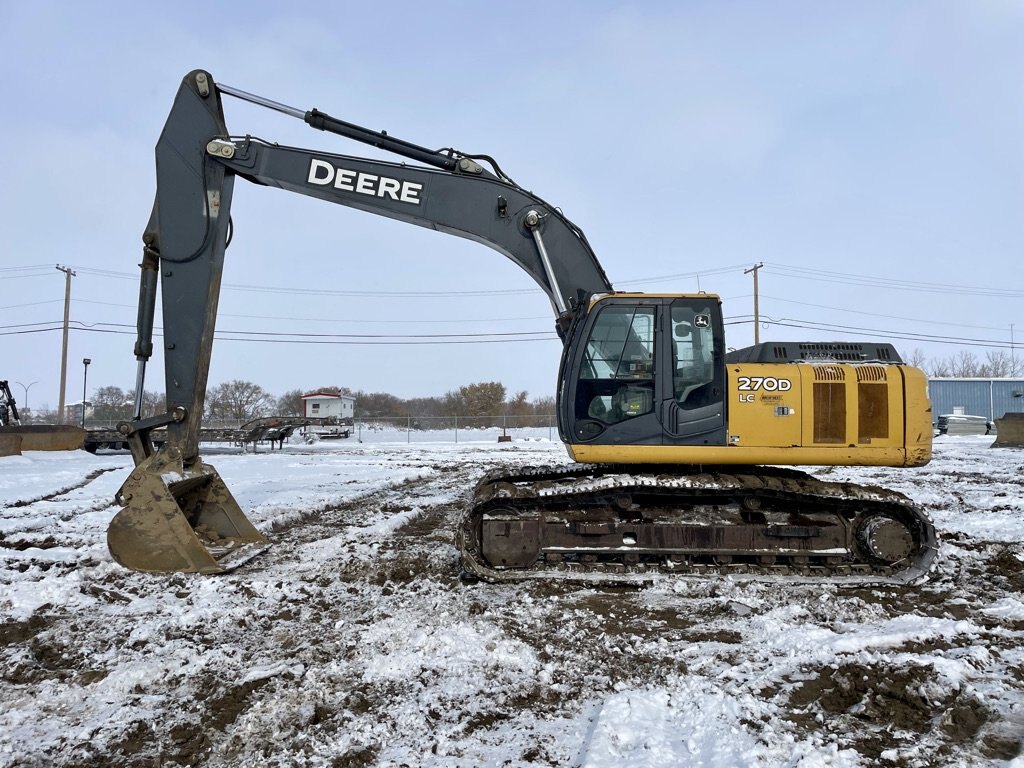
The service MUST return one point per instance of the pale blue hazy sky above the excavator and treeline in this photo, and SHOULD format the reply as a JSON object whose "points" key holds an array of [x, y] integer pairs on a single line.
{"points": [[871, 156]]}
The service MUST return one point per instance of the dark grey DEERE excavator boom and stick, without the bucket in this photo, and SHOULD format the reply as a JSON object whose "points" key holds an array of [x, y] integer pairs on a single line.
{"points": [[186, 240]]}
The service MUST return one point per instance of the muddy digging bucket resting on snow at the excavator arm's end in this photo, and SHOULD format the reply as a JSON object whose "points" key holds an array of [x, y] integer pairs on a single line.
{"points": [[179, 520]]}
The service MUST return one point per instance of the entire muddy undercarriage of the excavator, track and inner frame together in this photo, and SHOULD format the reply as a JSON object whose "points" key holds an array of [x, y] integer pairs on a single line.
{"points": [[622, 523]]}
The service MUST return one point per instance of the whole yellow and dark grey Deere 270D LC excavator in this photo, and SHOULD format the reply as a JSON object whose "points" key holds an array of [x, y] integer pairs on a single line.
{"points": [[685, 453]]}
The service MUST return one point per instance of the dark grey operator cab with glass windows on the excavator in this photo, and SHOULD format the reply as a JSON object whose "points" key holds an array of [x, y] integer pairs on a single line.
{"points": [[647, 370]]}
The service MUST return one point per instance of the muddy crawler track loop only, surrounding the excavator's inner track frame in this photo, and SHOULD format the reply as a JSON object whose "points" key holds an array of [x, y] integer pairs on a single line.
{"points": [[549, 491]]}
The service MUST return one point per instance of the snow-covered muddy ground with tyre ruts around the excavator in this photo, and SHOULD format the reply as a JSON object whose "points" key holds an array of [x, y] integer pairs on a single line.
{"points": [[354, 643]]}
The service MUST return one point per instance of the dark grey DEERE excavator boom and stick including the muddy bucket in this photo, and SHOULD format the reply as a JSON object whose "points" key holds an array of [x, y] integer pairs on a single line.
{"points": [[185, 245]]}
